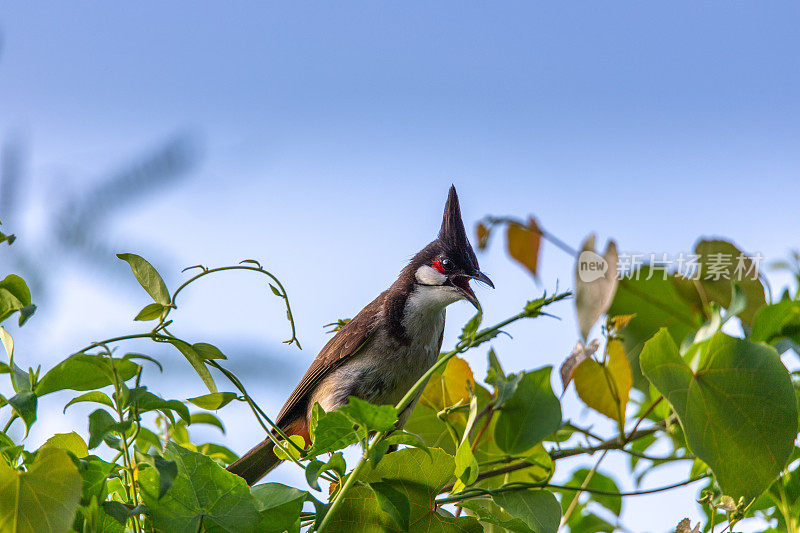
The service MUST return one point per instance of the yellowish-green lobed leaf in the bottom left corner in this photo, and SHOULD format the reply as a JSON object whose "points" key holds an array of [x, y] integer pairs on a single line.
{"points": [[43, 499]]}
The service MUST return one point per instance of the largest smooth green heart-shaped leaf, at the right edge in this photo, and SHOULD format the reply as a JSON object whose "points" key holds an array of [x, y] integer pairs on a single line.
{"points": [[736, 405]]}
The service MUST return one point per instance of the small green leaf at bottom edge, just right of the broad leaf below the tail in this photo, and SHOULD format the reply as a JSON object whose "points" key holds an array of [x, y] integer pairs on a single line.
{"points": [[279, 507]]}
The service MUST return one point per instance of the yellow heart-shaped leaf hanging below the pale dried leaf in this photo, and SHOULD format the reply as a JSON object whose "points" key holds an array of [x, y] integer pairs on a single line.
{"points": [[606, 388]]}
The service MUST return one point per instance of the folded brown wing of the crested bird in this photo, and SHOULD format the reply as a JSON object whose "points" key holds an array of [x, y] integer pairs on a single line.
{"points": [[346, 343]]}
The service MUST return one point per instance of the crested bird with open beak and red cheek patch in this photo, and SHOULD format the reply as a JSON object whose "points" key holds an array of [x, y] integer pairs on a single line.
{"points": [[379, 354]]}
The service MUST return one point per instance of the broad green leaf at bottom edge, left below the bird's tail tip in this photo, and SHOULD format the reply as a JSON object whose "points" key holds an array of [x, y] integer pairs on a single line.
{"points": [[203, 496]]}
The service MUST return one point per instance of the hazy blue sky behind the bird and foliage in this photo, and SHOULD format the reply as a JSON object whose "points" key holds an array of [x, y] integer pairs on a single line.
{"points": [[327, 135]]}
